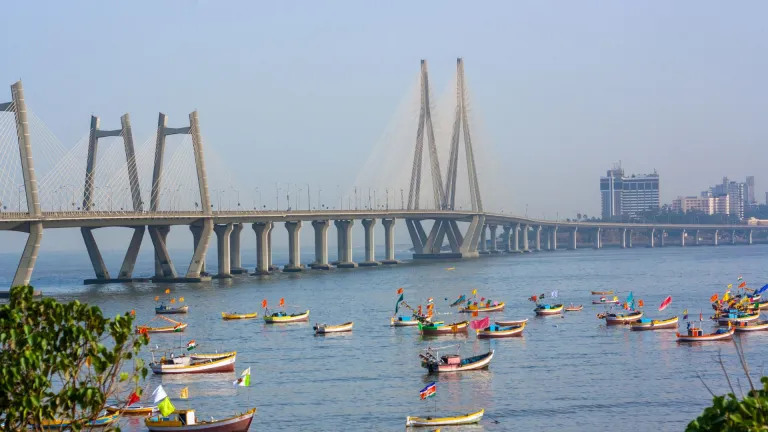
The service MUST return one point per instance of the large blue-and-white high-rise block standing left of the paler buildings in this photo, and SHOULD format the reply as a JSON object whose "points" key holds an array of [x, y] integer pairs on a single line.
{"points": [[628, 196]]}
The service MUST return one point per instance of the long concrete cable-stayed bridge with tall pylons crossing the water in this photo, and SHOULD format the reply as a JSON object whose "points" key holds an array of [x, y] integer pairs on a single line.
{"points": [[105, 180]]}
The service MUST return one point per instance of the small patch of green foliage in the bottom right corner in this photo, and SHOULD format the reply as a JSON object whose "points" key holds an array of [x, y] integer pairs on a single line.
{"points": [[728, 413]]}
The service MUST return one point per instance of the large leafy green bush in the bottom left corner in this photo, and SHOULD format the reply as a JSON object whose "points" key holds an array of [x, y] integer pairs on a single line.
{"points": [[61, 360]]}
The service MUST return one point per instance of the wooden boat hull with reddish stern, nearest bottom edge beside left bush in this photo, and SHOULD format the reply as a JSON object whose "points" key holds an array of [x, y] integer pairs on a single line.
{"points": [[184, 420]]}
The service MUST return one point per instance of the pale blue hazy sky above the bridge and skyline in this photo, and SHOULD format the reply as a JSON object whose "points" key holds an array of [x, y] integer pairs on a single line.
{"points": [[302, 91]]}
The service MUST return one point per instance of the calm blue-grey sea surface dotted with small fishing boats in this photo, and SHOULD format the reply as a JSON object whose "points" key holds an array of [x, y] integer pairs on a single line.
{"points": [[566, 374]]}
